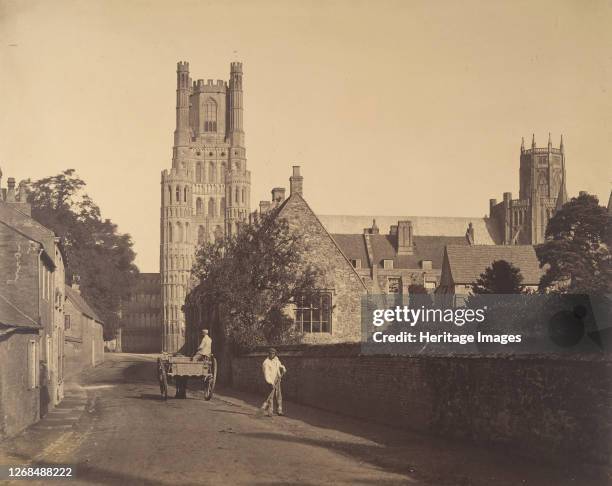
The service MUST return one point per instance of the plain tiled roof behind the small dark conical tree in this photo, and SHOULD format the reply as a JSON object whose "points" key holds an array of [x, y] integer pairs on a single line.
{"points": [[468, 262]]}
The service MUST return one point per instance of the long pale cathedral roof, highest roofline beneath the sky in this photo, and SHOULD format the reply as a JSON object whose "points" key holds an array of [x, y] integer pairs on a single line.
{"points": [[484, 230]]}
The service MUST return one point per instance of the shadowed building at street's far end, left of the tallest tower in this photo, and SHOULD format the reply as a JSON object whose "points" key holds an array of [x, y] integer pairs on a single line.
{"points": [[141, 322]]}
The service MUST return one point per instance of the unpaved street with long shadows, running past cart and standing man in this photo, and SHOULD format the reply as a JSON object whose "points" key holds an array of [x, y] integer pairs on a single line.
{"points": [[114, 429]]}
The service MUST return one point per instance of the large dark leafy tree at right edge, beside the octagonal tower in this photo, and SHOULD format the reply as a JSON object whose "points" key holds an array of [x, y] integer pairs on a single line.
{"points": [[576, 253]]}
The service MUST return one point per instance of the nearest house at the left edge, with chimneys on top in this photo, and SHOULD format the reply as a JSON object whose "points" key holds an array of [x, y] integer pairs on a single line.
{"points": [[31, 314]]}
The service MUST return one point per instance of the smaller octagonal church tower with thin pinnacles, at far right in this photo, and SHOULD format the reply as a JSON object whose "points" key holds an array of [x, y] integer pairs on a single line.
{"points": [[542, 192]]}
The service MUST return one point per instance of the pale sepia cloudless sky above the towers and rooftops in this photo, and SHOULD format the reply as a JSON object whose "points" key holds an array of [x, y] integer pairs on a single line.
{"points": [[390, 107]]}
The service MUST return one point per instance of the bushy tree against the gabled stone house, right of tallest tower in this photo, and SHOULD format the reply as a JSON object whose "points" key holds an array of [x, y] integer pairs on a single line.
{"points": [[252, 278]]}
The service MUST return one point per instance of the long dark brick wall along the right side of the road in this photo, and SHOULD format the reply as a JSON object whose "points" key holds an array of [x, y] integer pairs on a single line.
{"points": [[553, 408]]}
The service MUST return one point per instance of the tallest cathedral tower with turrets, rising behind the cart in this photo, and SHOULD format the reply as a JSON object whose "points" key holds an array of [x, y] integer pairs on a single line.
{"points": [[206, 193]]}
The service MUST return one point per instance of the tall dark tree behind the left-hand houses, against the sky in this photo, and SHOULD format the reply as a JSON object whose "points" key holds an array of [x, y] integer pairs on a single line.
{"points": [[102, 257]]}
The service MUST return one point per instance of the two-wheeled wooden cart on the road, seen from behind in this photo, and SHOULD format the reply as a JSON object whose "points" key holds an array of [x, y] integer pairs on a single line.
{"points": [[180, 369]]}
